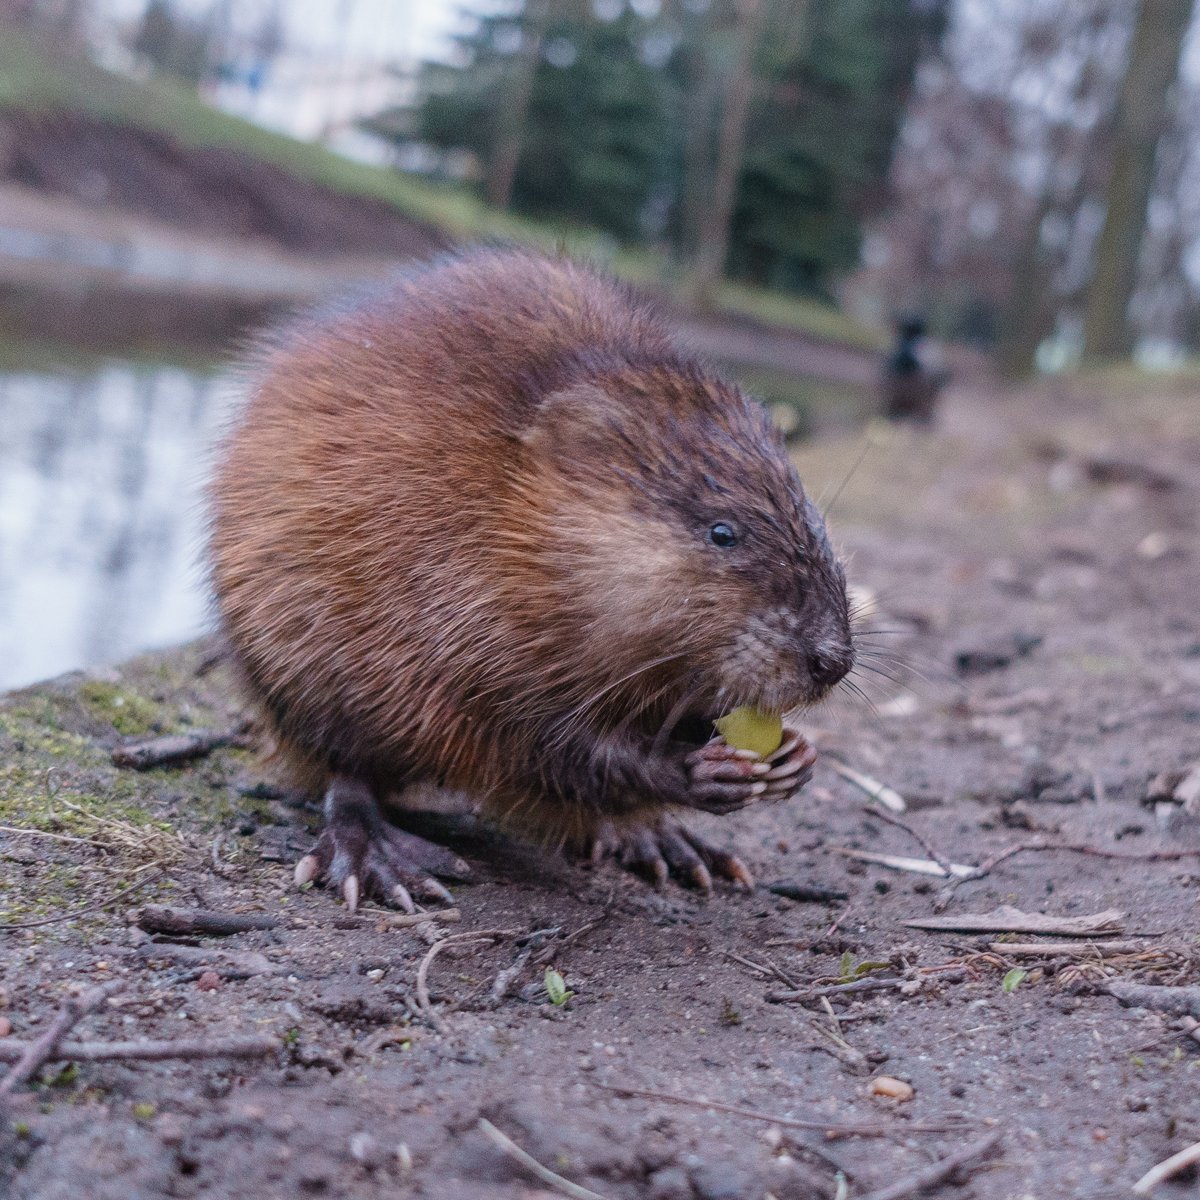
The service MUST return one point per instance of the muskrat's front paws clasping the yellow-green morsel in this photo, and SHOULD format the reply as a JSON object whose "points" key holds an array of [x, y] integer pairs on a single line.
{"points": [[723, 779]]}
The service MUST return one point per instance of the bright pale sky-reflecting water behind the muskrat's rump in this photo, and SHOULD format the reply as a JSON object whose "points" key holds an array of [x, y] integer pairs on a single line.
{"points": [[101, 512]]}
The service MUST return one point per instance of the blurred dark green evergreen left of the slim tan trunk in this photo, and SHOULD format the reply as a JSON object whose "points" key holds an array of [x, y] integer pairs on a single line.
{"points": [[567, 113]]}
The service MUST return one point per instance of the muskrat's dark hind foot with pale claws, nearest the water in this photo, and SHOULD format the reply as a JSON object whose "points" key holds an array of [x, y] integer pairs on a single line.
{"points": [[362, 854]]}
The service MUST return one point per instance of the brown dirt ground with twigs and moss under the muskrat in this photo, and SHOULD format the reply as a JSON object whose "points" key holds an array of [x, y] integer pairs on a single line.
{"points": [[1034, 568]]}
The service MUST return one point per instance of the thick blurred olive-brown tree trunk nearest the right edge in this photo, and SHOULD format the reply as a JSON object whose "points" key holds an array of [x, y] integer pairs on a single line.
{"points": [[1141, 119]]}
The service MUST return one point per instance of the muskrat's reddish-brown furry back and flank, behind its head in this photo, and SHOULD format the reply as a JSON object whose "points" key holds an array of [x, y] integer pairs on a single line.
{"points": [[357, 511]]}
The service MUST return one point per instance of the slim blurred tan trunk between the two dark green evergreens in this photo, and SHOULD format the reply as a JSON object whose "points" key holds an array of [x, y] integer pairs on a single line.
{"points": [[715, 235]]}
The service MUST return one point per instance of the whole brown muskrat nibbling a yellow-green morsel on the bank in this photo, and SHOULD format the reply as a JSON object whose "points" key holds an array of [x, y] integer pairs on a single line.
{"points": [[488, 529]]}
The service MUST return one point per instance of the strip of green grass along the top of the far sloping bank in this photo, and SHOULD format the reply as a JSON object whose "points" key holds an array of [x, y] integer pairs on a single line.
{"points": [[34, 79]]}
